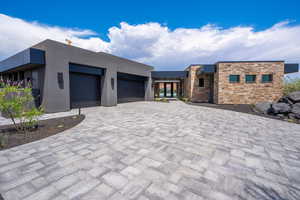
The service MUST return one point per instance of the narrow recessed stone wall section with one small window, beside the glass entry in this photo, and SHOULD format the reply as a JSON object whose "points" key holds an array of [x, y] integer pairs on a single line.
{"points": [[193, 91]]}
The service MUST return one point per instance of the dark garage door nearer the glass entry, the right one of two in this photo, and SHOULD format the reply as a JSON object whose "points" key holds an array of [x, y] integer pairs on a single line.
{"points": [[130, 88]]}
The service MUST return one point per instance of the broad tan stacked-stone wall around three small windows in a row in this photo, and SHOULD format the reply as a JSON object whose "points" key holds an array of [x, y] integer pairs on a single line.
{"points": [[248, 93]]}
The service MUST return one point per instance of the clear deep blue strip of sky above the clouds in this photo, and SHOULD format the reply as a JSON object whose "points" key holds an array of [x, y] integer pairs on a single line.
{"points": [[101, 15]]}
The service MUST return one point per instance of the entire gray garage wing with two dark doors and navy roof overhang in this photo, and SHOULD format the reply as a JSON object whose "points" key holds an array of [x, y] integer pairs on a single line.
{"points": [[70, 77]]}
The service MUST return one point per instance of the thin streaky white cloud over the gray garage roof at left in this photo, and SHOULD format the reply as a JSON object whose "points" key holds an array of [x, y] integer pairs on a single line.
{"points": [[17, 34]]}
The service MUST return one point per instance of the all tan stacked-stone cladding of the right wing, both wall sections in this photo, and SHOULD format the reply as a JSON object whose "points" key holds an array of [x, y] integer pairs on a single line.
{"points": [[218, 86]]}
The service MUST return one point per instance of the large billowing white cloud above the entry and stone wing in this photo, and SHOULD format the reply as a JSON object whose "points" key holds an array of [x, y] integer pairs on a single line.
{"points": [[156, 44]]}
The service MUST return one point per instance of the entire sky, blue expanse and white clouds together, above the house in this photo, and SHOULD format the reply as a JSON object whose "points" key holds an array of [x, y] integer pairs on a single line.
{"points": [[166, 34]]}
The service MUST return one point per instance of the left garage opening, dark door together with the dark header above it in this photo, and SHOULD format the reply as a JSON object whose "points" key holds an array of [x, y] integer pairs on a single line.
{"points": [[85, 86]]}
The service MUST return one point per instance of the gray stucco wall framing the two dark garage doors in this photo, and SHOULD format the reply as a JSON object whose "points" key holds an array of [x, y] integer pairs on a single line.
{"points": [[59, 55]]}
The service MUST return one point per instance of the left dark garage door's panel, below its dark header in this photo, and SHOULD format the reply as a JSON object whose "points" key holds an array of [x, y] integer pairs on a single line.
{"points": [[85, 90]]}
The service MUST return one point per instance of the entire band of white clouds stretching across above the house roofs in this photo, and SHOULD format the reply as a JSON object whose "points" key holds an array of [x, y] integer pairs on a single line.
{"points": [[157, 45]]}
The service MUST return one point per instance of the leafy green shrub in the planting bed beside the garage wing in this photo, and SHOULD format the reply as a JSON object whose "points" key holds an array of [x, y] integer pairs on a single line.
{"points": [[17, 104]]}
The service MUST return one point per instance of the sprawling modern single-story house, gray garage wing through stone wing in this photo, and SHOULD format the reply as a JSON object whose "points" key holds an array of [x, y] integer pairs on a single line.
{"points": [[65, 77]]}
